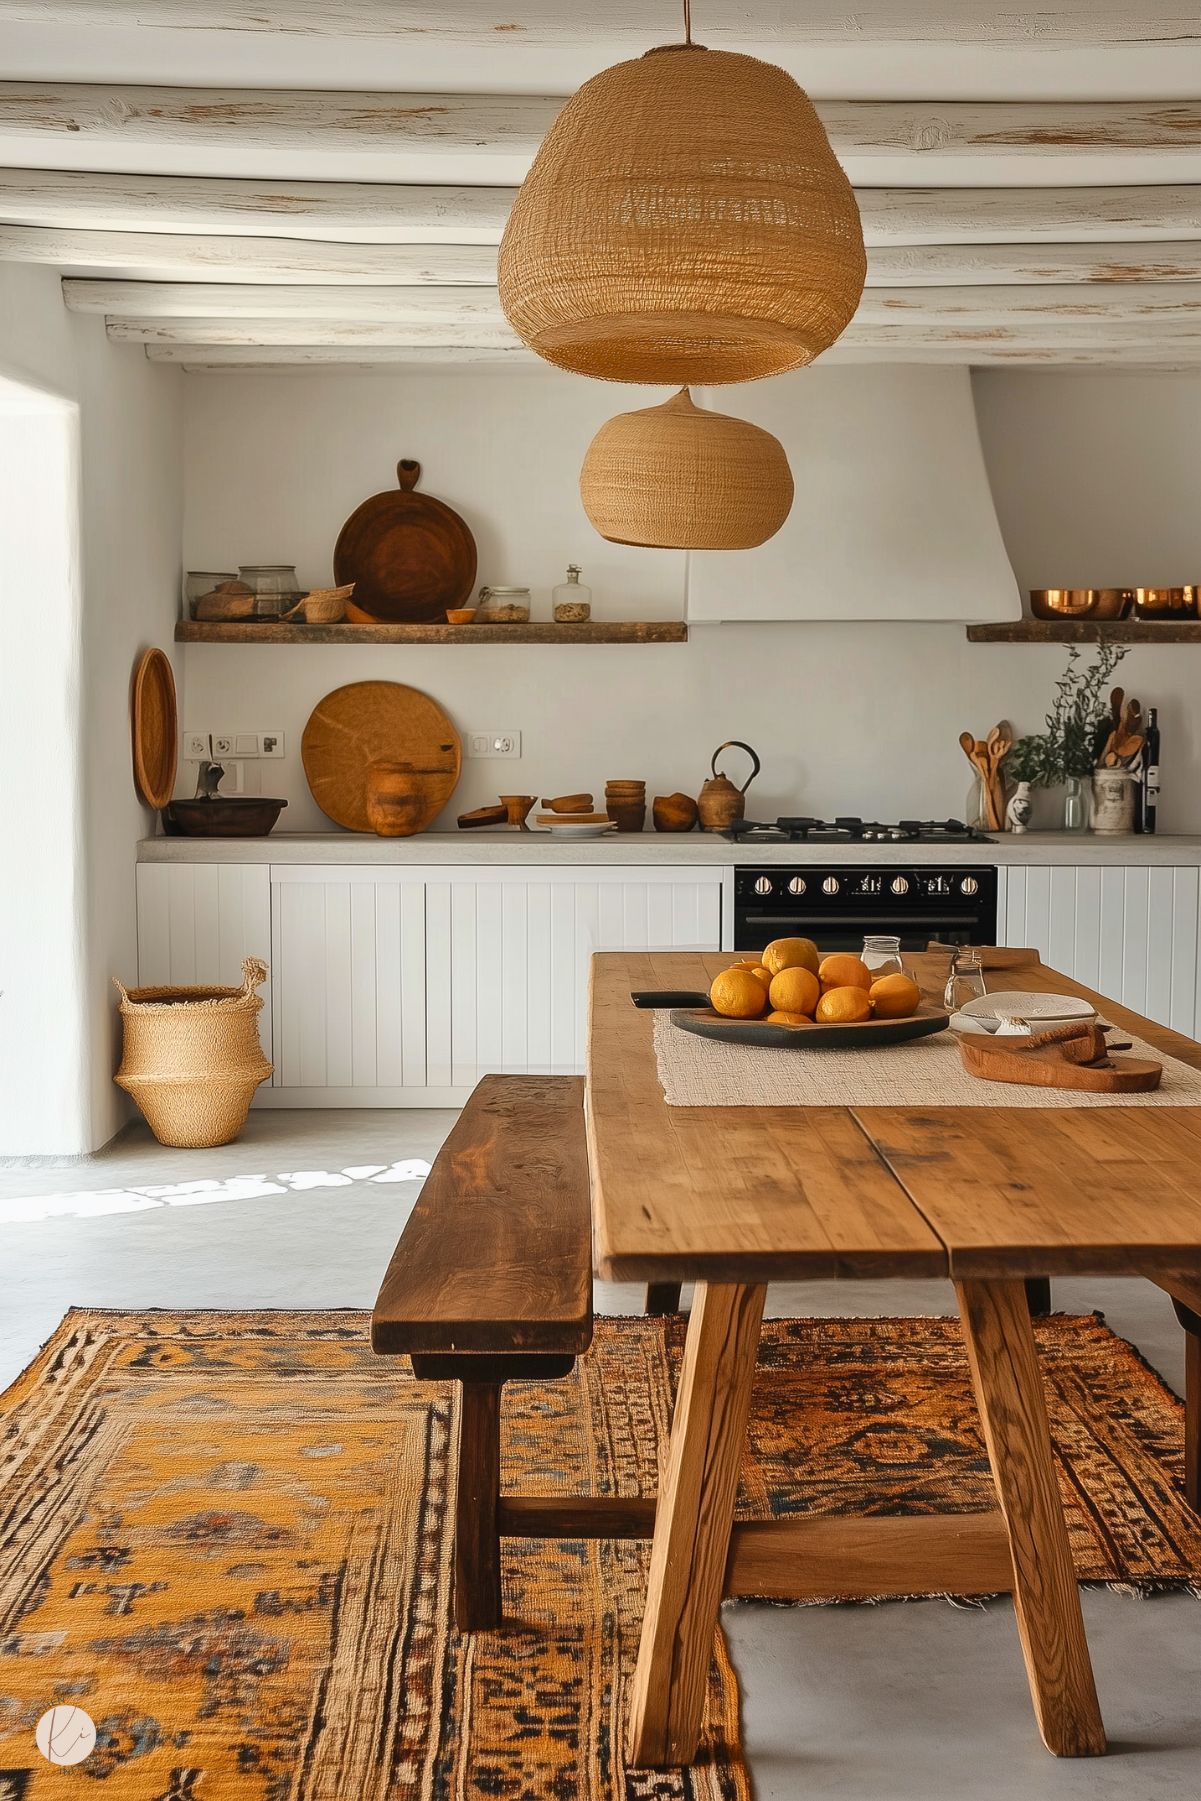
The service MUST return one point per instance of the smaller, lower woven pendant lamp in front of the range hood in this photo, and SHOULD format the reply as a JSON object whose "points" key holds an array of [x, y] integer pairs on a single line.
{"points": [[682, 478]]}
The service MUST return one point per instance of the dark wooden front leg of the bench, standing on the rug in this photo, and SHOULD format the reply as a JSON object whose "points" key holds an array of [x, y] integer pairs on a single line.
{"points": [[476, 1505]]}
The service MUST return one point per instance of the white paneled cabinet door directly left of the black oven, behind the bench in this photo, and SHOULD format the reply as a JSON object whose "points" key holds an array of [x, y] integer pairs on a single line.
{"points": [[521, 945]]}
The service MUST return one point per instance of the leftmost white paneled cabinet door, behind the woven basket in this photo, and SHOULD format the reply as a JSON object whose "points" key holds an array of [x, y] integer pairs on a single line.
{"points": [[197, 921]]}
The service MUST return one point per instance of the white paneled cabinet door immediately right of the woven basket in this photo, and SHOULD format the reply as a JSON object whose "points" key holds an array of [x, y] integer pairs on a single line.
{"points": [[363, 1011]]}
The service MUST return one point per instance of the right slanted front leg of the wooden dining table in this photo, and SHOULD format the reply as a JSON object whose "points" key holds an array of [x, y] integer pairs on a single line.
{"points": [[1009, 1391]]}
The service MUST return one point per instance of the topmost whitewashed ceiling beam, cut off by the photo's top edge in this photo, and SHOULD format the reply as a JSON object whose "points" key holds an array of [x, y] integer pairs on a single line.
{"points": [[528, 24]]}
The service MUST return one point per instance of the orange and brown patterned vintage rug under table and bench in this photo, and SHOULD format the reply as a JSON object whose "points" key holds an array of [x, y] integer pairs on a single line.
{"points": [[224, 1537]]}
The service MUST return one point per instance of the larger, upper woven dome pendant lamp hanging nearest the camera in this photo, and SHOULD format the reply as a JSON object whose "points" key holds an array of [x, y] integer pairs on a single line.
{"points": [[685, 221]]}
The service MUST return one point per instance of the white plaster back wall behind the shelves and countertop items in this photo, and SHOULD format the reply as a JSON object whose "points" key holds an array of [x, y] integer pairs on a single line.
{"points": [[847, 718]]}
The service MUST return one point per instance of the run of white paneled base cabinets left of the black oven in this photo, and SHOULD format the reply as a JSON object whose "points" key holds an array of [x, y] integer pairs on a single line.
{"points": [[404, 986]]}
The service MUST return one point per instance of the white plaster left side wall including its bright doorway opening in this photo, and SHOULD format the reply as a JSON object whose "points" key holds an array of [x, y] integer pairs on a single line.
{"points": [[96, 476]]}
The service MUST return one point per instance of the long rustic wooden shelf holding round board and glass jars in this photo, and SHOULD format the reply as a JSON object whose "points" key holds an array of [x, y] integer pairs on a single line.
{"points": [[536, 633]]}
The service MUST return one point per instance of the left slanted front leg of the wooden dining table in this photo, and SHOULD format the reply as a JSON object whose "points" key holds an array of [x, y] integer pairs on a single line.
{"points": [[692, 1525]]}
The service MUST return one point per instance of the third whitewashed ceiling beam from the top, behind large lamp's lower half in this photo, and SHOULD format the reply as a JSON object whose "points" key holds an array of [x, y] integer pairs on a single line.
{"points": [[420, 213]]}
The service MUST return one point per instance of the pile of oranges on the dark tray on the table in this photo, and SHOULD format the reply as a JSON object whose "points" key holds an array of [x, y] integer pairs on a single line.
{"points": [[795, 984]]}
